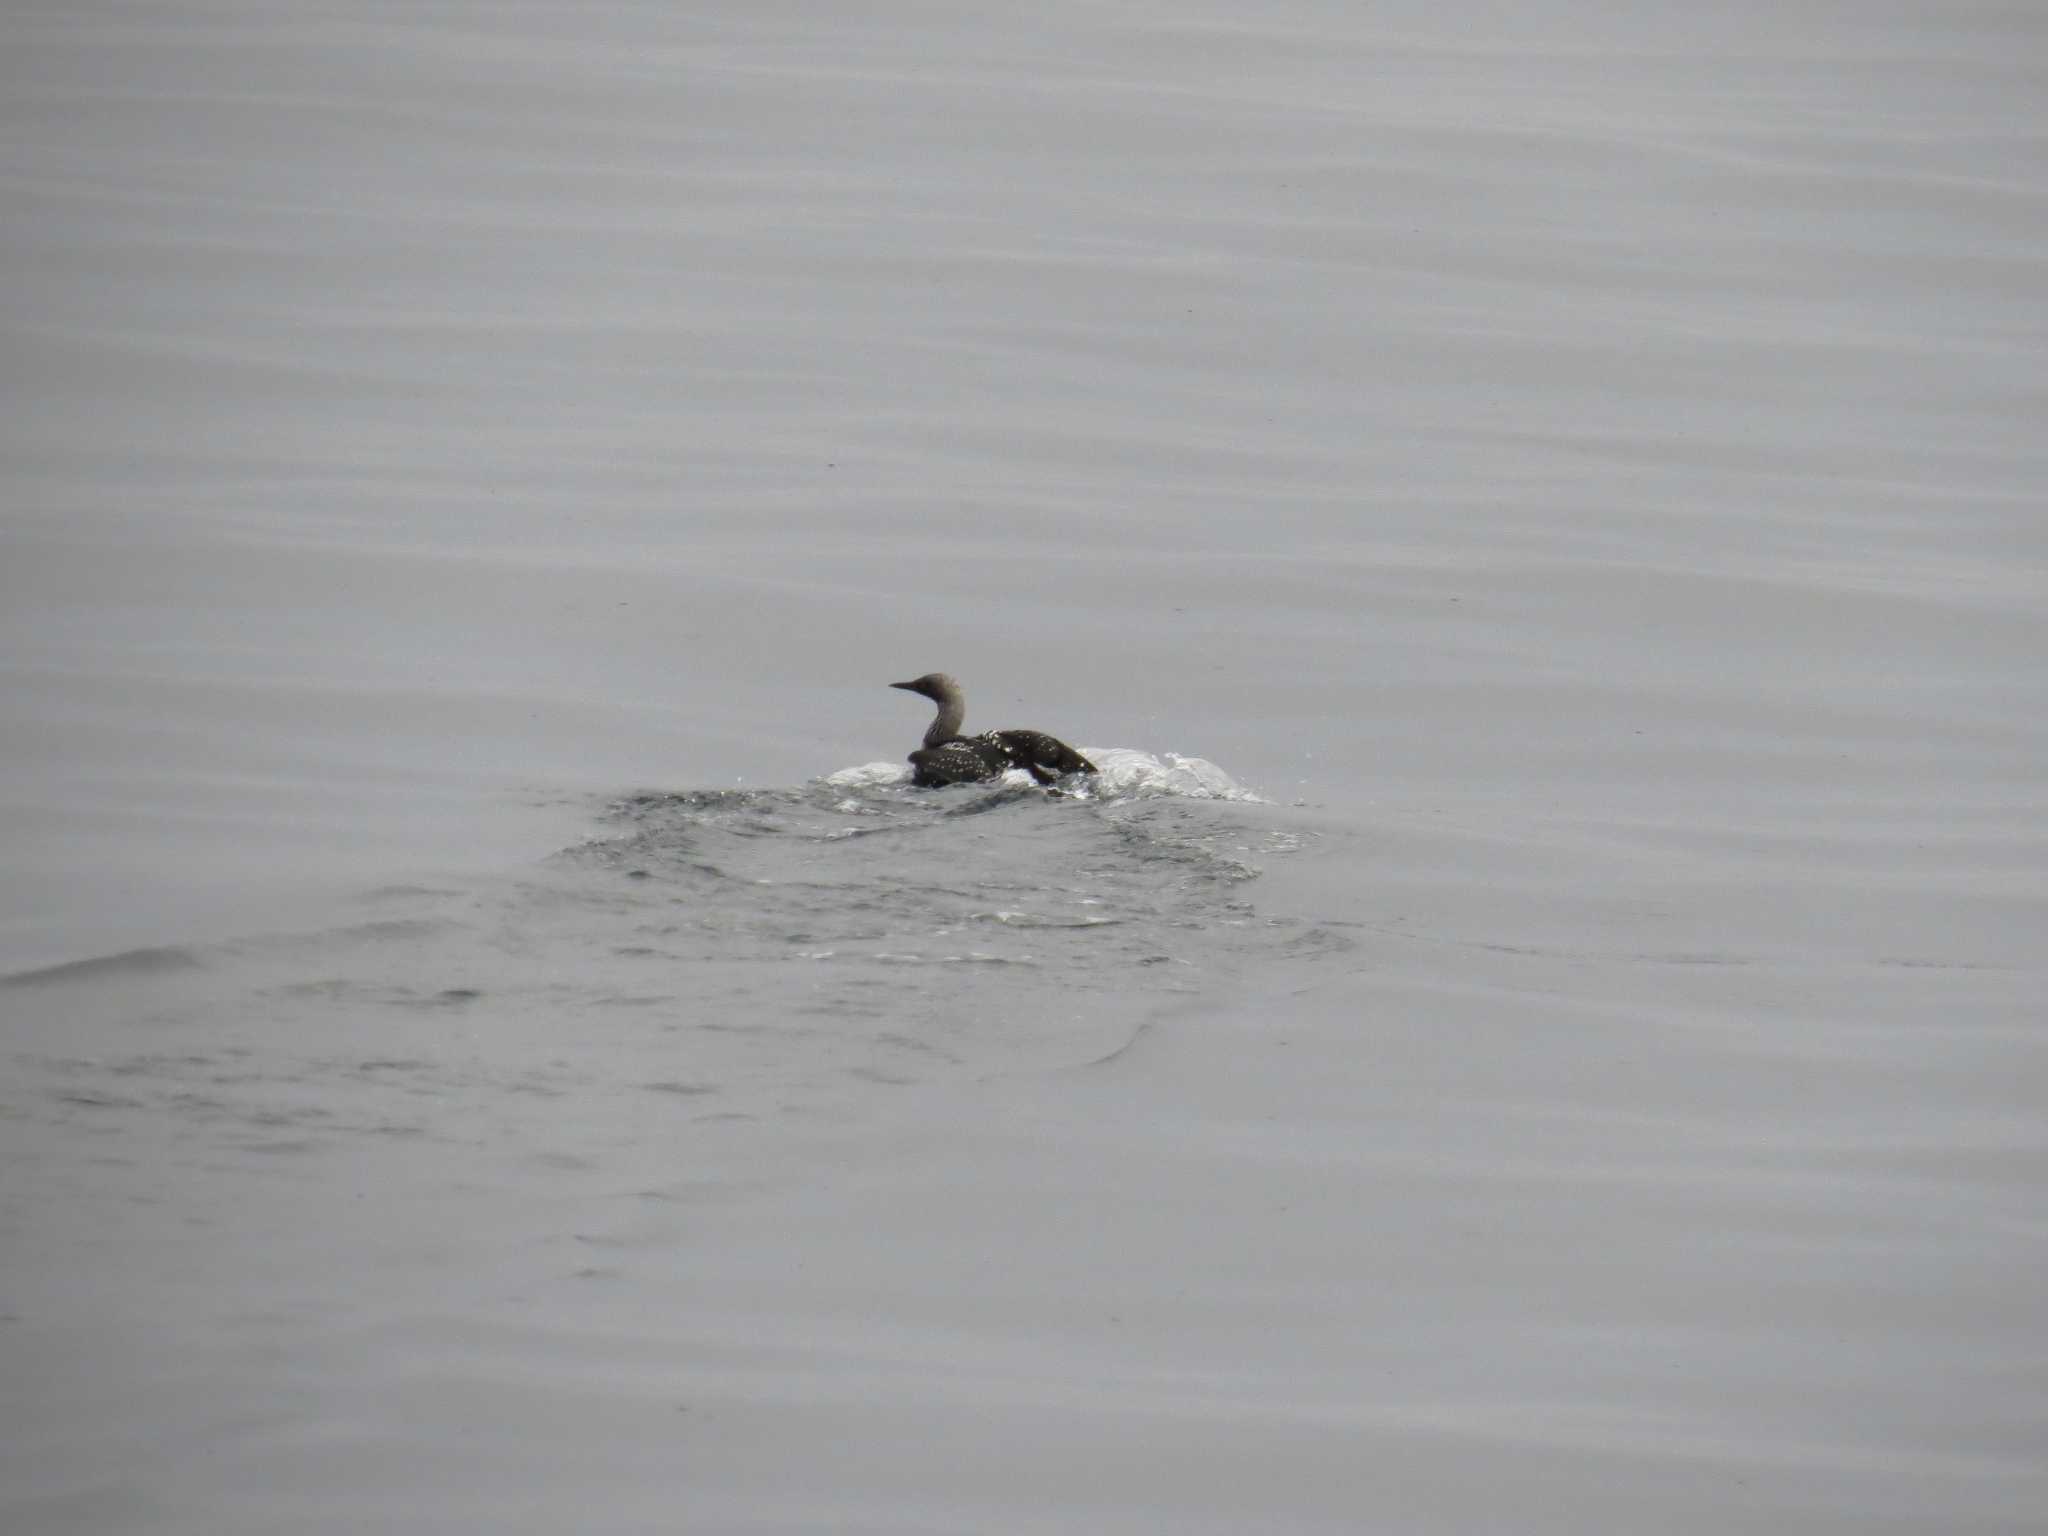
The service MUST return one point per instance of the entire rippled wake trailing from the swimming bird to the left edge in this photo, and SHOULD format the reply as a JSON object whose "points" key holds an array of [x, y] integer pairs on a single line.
{"points": [[751, 949]]}
